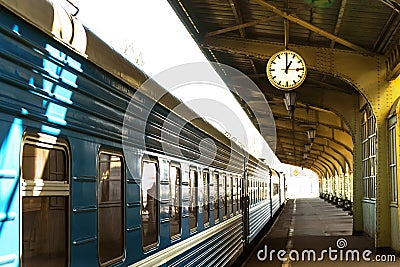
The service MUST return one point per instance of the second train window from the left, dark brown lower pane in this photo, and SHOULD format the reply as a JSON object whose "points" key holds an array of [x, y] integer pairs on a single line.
{"points": [[110, 196]]}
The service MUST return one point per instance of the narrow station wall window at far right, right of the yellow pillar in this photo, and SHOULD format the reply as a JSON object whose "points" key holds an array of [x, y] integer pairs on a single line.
{"points": [[393, 160]]}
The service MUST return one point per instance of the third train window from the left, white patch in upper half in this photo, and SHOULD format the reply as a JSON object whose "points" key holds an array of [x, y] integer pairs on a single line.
{"points": [[149, 199]]}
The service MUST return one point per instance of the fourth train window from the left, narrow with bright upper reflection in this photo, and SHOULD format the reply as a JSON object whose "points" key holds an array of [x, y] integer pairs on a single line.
{"points": [[174, 201]]}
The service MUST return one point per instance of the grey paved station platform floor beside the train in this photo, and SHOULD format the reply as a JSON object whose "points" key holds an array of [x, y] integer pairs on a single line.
{"points": [[312, 224]]}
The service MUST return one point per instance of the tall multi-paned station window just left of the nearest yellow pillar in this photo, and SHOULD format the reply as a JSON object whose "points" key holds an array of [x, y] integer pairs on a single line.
{"points": [[368, 153]]}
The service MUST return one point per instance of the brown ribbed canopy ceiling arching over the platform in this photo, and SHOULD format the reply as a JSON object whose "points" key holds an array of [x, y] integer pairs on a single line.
{"points": [[226, 30]]}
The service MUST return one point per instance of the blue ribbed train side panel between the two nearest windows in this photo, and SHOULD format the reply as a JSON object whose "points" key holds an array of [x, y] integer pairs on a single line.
{"points": [[84, 209]]}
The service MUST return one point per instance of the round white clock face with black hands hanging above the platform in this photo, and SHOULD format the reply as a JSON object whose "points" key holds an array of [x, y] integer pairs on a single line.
{"points": [[286, 70]]}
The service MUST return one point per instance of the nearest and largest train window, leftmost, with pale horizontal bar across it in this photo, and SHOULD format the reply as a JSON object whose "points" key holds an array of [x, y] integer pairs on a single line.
{"points": [[45, 198]]}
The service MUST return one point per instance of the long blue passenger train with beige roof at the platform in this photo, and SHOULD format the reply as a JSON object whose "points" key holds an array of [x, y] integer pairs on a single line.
{"points": [[76, 192]]}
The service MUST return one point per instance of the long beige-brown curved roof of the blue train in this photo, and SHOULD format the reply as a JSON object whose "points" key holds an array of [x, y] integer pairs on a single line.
{"points": [[65, 28]]}
